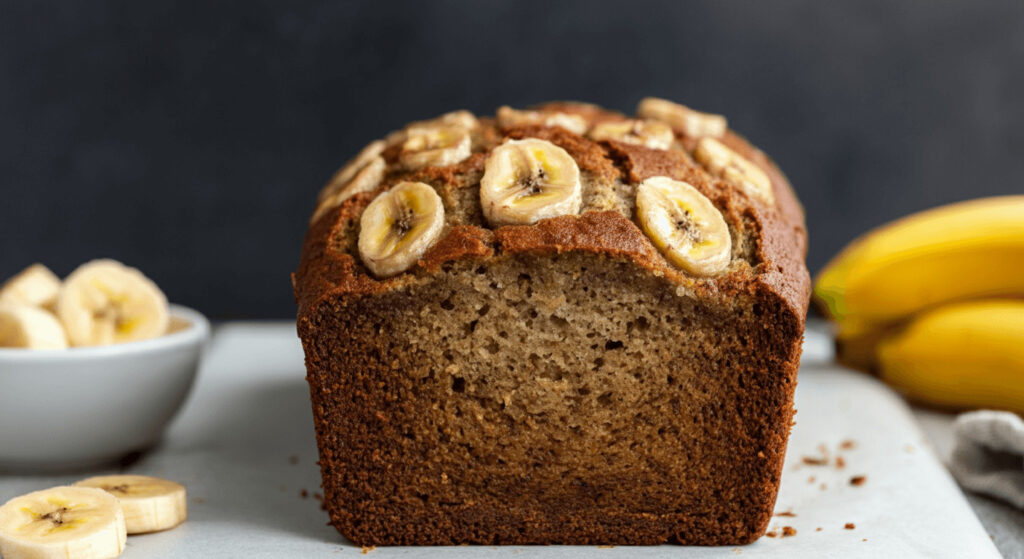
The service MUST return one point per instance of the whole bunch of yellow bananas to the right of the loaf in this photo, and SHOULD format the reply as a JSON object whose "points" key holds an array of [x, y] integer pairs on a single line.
{"points": [[934, 305]]}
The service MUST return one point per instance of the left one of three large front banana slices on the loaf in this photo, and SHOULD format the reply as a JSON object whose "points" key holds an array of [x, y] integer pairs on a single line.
{"points": [[399, 227]]}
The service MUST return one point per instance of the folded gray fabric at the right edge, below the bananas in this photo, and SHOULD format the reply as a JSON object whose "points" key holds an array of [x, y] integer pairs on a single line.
{"points": [[989, 457]]}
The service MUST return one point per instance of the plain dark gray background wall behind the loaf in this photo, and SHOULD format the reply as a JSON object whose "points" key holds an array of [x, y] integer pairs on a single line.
{"points": [[190, 139]]}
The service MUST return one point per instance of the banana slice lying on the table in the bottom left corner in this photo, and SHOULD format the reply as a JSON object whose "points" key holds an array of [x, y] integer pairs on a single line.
{"points": [[63, 524]]}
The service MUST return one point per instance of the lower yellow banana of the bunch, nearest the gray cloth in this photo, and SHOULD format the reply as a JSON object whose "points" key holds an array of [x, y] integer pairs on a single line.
{"points": [[962, 356]]}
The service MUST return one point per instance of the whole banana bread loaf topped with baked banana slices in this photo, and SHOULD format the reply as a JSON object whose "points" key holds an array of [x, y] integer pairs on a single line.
{"points": [[558, 326]]}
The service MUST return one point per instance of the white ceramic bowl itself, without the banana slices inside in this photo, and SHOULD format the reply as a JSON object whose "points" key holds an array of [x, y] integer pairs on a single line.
{"points": [[90, 406]]}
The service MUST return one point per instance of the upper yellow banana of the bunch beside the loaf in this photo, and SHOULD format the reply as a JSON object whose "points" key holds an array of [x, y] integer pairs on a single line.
{"points": [[964, 251]]}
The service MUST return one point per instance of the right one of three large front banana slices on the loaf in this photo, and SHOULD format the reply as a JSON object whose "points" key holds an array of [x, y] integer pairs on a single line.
{"points": [[685, 225]]}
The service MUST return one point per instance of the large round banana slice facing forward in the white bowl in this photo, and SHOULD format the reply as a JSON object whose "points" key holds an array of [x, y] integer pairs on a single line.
{"points": [[105, 303]]}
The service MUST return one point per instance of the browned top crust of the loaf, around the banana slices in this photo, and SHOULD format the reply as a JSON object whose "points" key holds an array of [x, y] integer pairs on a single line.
{"points": [[771, 242]]}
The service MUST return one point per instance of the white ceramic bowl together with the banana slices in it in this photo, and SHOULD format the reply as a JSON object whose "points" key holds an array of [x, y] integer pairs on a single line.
{"points": [[93, 368]]}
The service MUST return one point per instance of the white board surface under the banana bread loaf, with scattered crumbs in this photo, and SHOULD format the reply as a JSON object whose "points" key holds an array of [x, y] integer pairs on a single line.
{"points": [[244, 447]]}
